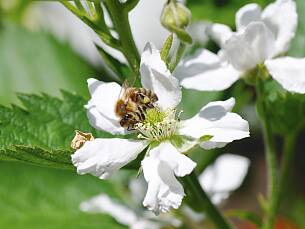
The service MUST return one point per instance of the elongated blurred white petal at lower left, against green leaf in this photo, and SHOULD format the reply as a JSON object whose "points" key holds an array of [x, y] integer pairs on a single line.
{"points": [[104, 204]]}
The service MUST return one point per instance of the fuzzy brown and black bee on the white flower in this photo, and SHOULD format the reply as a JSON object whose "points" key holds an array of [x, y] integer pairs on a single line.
{"points": [[133, 104]]}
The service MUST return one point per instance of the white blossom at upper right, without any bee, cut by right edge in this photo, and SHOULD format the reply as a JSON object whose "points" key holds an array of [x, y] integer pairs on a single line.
{"points": [[261, 37]]}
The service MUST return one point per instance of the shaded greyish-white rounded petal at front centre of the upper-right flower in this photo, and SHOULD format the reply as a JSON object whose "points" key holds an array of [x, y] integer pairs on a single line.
{"points": [[250, 47]]}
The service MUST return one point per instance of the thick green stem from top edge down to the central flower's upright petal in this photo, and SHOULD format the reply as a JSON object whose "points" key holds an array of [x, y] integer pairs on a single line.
{"points": [[119, 16]]}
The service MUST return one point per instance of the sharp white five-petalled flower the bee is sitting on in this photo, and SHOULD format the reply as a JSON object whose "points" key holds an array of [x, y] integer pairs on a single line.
{"points": [[166, 136]]}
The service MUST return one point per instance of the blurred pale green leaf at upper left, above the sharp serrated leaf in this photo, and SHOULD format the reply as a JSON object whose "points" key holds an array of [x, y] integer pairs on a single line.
{"points": [[31, 62]]}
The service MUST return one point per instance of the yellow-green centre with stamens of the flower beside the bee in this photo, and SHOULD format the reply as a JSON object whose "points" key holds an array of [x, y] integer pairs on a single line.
{"points": [[158, 125]]}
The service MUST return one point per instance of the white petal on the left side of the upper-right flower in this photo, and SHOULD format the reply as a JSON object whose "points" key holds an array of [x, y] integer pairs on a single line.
{"points": [[205, 72]]}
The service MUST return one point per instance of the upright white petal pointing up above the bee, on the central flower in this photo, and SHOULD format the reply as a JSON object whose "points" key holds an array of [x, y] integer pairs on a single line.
{"points": [[156, 77]]}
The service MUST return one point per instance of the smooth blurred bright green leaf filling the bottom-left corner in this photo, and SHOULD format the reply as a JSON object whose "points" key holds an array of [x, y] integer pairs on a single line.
{"points": [[37, 196]]}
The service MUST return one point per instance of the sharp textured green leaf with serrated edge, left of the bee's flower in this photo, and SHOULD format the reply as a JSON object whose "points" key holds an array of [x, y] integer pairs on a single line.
{"points": [[41, 133]]}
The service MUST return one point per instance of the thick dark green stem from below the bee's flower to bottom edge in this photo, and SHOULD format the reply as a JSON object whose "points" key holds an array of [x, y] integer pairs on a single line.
{"points": [[203, 201]]}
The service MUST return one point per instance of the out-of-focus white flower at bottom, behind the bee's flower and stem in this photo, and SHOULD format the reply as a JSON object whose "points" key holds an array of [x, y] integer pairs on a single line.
{"points": [[219, 179]]}
